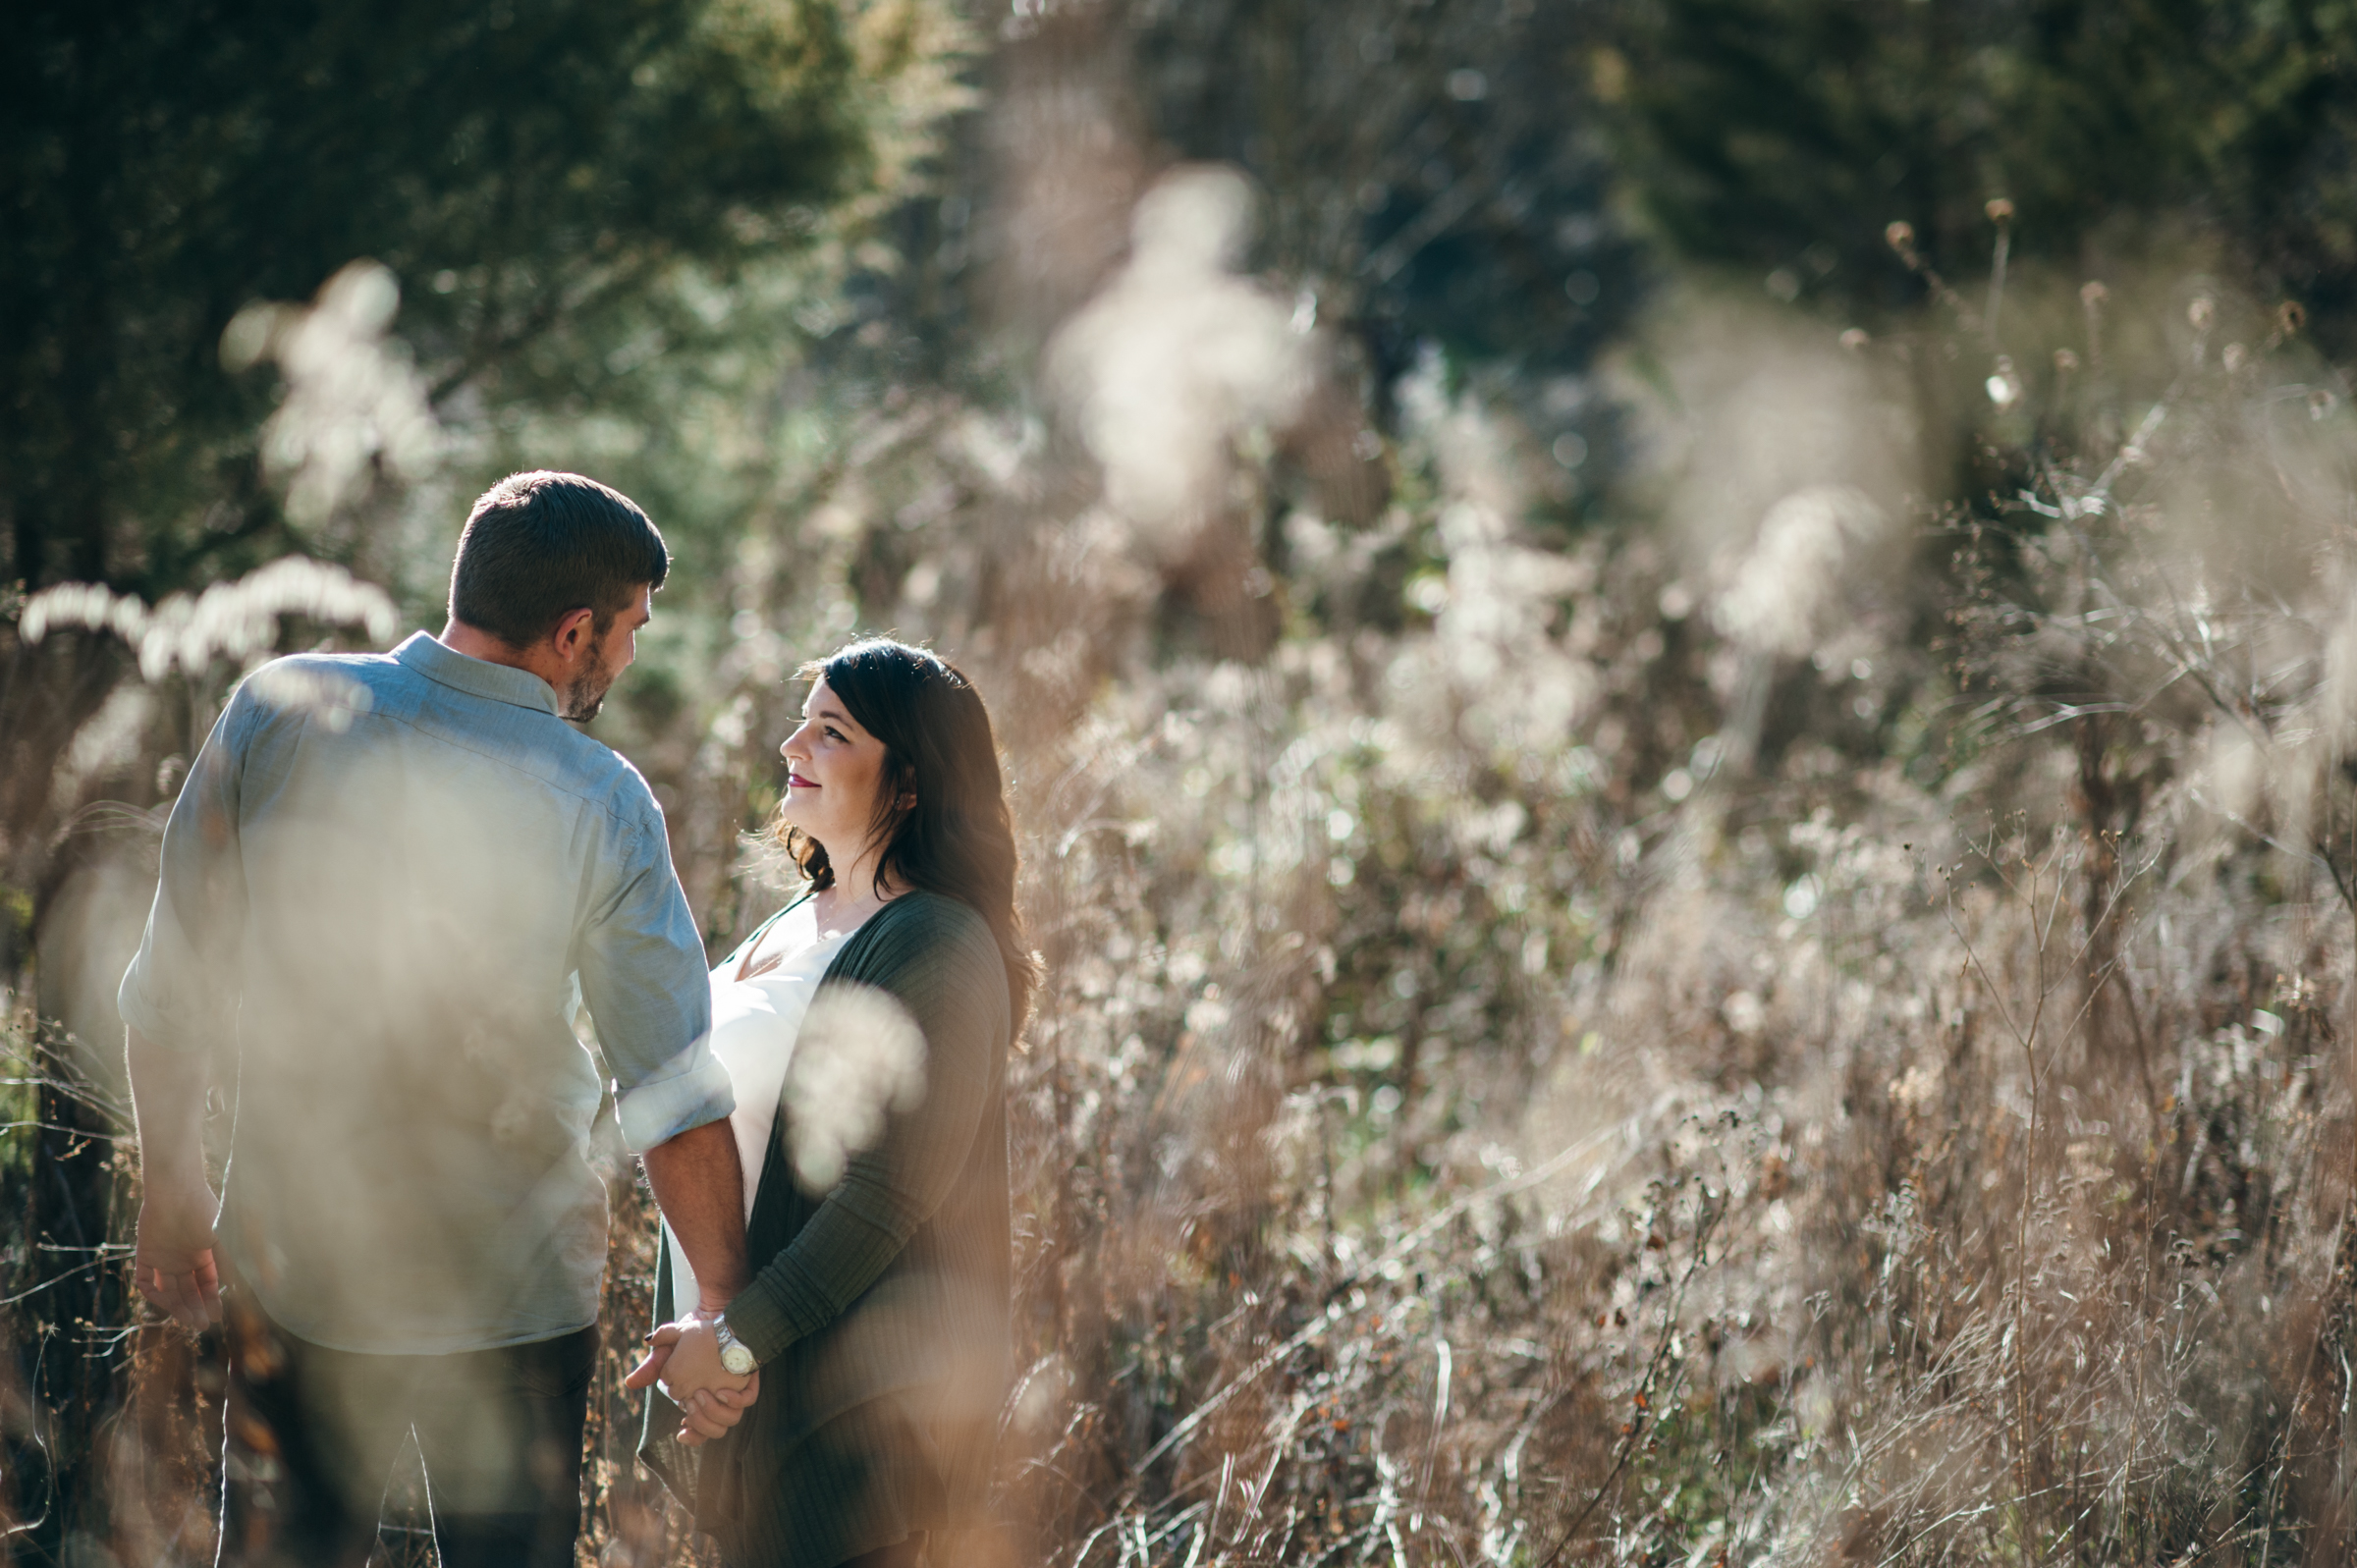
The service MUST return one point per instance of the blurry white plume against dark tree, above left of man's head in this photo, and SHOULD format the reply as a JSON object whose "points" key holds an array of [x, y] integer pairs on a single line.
{"points": [[352, 397]]}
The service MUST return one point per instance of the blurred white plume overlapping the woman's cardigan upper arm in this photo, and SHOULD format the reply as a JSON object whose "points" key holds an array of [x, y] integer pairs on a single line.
{"points": [[857, 1060]]}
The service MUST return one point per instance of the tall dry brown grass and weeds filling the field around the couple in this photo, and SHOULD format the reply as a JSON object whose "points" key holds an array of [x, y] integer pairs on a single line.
{"points": [[1814, 1027]]}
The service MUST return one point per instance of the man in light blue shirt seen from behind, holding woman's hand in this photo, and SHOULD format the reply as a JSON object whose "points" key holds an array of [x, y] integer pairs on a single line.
{"points": [[388, 885]]}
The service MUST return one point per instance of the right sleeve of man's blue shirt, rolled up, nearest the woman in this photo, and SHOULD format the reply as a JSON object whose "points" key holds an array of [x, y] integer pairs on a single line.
{"points": [[645, 984]]}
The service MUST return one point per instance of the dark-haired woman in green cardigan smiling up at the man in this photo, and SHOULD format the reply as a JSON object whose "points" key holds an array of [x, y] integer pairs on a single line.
{"points": [[866, 1029]]}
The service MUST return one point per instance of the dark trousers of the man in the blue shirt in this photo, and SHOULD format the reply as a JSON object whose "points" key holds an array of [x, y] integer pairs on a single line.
{"points": [[315, 1435]]}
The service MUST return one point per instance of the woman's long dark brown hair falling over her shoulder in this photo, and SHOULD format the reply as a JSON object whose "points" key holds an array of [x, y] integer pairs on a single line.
{"points": [[942, 803]]}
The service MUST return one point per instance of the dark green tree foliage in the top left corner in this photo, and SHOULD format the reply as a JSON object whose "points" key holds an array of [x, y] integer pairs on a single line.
{"points": [[527, 169]]}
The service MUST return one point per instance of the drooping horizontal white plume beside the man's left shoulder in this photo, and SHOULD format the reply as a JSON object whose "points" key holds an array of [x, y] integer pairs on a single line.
{"points": [[227, 621]]}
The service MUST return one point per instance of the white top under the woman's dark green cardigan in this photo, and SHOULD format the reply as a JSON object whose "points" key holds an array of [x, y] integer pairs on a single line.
{"points": [[753, 1036]]}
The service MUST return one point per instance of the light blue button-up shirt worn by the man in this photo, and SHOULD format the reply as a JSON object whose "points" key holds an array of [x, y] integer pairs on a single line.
{"points": [[388, 888]]}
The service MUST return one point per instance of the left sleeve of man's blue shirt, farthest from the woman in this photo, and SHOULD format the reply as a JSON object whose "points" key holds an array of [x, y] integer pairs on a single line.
{"points": [[185, 984]]}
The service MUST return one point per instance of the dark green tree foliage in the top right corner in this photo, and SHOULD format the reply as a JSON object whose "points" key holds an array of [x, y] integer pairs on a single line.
{"points": [[1785, 136]]}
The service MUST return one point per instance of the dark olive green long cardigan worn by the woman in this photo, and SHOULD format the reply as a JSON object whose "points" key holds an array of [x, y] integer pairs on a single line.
{"points": [[880, 1310]]}
